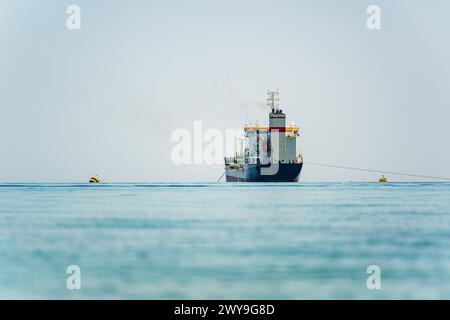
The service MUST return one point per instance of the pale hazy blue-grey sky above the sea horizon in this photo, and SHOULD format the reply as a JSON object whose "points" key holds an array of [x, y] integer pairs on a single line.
{"points": [[105, 99]]}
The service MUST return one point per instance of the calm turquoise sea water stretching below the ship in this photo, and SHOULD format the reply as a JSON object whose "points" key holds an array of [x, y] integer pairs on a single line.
{"points": [[232, 241]]}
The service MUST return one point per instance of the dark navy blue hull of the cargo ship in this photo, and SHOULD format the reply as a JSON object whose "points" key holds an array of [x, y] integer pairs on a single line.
{"points": [[287, 172]]}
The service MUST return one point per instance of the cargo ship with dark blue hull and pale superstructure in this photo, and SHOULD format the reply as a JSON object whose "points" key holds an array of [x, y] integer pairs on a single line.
{"points": [[267, 154]]}
